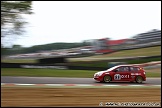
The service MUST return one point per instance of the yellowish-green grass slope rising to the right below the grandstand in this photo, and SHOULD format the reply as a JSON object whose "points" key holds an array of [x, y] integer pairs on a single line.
{"points": [[150, 51]]}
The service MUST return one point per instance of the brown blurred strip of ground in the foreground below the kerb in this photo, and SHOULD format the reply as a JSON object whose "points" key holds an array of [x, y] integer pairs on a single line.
{"points": [[85, 97]]}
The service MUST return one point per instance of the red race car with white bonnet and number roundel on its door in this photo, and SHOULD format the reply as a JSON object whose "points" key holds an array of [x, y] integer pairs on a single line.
{"points": [[122, 73]]}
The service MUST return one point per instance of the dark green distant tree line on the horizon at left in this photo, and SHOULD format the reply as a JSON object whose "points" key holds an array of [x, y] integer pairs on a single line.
{"points": [[17, 49]]}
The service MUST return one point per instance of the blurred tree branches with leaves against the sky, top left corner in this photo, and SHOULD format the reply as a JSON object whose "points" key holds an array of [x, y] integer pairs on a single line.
{"points": [[12, 22]]}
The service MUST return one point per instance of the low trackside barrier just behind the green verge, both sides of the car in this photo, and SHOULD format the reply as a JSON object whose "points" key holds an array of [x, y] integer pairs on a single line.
{"points": [[43, 66]]}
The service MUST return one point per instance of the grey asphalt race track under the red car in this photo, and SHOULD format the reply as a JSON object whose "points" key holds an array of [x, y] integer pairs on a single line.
{"points": [[64, 80]]}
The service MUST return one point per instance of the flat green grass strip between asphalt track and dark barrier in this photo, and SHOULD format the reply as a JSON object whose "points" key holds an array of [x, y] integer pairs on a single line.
{"points": [[62, 73]]}
